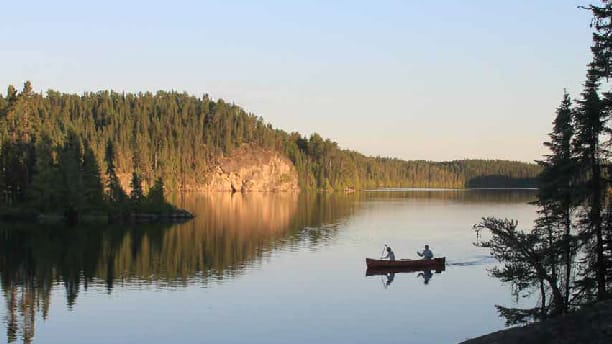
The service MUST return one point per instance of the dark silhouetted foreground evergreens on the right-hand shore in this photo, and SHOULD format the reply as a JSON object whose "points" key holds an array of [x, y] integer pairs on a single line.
{"points": [[567, 256]]}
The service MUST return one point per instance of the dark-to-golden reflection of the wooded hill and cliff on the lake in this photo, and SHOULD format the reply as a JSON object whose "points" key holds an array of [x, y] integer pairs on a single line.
{"points": [[229, 233]]}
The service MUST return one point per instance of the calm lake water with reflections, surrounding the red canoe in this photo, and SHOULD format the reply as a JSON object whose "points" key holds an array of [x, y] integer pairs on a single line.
{"points": [[261, 268]]}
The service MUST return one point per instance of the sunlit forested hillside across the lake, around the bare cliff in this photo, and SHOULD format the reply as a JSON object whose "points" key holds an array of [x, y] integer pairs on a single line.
{"points": [[179, 138]]}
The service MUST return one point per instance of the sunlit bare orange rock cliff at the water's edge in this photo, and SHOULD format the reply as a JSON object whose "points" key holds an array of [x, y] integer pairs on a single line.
{"points": [[253, 169]]}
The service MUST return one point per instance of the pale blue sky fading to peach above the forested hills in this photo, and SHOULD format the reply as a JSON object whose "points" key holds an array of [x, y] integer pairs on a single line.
{"points": [[434, 80]]}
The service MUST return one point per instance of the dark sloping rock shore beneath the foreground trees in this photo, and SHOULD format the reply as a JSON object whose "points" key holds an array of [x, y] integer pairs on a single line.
{"points": [[592, 324]]}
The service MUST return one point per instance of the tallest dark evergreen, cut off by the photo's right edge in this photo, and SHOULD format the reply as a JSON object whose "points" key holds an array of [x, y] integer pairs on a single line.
{"points": [[592, 157]]}
